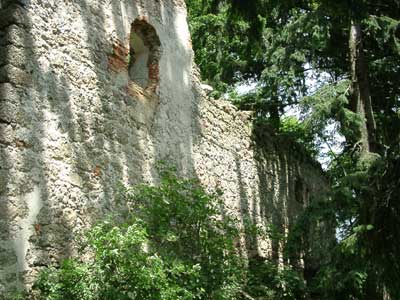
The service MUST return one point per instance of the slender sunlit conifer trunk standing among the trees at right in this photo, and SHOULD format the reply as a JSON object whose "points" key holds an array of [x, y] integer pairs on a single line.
{"points": [[361, 97]]}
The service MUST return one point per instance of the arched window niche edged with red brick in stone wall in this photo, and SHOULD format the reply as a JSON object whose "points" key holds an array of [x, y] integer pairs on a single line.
{"points": [[144, 55]]}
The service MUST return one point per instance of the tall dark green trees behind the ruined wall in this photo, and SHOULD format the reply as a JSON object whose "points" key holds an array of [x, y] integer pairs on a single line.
{"points": [[338, 61]]}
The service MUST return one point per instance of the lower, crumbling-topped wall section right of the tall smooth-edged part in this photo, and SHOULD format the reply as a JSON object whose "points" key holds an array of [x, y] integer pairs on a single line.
{"points": [[261, 178]]}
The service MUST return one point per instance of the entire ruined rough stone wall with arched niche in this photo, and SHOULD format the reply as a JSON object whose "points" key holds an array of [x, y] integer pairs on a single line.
{"points": [[74, 123]]}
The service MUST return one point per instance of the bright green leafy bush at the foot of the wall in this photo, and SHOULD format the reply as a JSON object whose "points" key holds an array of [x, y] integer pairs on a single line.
{"points": [[169, 243]]}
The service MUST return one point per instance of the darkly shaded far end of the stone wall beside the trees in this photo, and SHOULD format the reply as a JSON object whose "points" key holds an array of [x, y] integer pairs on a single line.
{"points": [[289, 186]]}
